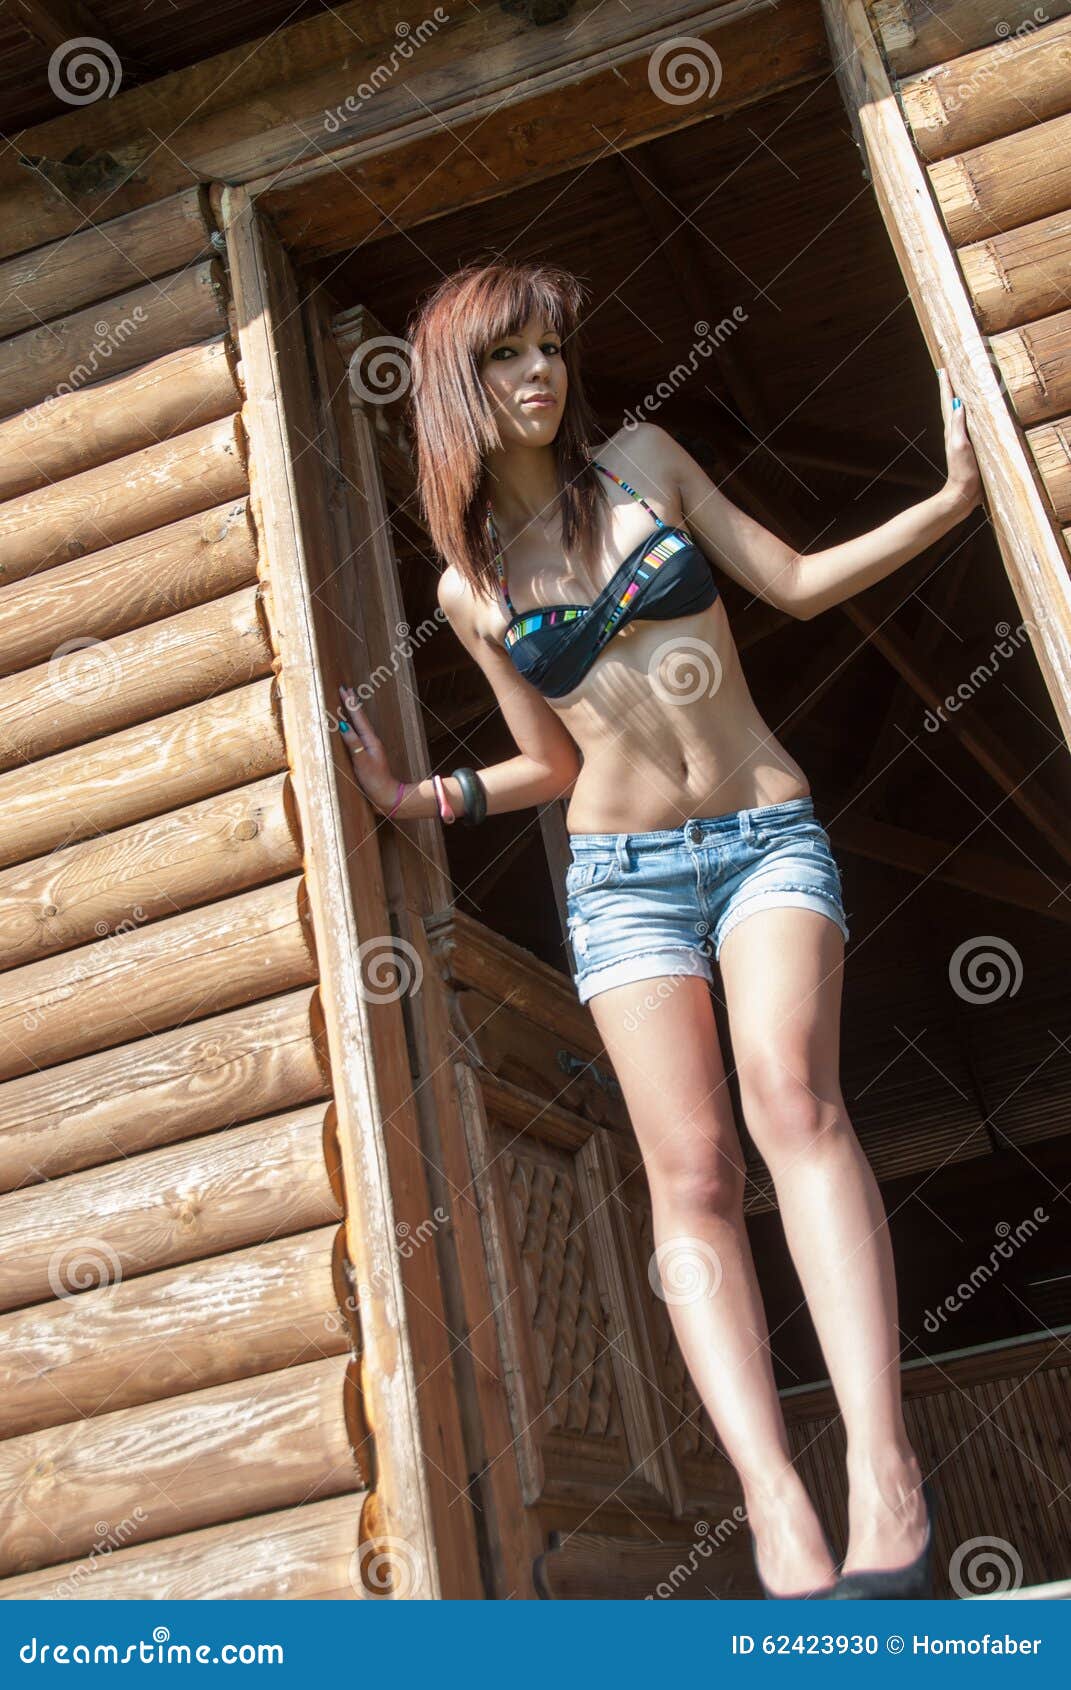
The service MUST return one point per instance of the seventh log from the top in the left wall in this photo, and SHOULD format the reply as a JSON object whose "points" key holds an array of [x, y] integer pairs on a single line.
{"points": [[156, 766]]}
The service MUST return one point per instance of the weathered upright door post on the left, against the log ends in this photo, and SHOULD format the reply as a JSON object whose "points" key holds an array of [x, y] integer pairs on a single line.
{"points": [[403, 1333]]}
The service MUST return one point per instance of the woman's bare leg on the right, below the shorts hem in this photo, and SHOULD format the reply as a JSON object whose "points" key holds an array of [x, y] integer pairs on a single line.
{"points": [[783, 981]]}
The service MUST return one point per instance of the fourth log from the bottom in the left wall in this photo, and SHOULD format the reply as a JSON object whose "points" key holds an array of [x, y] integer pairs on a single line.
{"points": [[180, 1204]]}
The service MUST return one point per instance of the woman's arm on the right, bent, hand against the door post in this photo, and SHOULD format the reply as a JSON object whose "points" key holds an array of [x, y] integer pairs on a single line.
{"points": [[807, 584]]}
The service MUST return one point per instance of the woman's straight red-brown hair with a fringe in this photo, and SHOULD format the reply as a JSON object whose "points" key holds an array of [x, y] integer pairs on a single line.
{"points": [[454, 423]]}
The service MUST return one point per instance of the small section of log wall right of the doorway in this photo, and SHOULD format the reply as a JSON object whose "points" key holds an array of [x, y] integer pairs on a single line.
{"points": [[987, 99]]}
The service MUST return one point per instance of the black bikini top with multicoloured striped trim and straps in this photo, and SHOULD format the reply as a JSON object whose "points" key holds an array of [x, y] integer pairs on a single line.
{"points": [[663, 579]]}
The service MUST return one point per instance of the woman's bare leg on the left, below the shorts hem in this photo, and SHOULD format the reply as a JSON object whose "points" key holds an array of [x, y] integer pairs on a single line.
{"points": [[663, 1040]]}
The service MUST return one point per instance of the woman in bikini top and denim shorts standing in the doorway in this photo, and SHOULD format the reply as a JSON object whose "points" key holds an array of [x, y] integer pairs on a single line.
{"points": [[584, 591]]}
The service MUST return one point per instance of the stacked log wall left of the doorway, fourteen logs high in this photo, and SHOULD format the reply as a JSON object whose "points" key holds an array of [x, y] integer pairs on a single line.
{"points": [[183, 1412]]}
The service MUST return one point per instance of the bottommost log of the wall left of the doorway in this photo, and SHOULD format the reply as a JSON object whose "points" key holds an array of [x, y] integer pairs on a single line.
{"points": [[298, 1554]]}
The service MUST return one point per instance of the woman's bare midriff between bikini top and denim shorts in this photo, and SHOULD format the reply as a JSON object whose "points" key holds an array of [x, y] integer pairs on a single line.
{"points": [[668, 729]]}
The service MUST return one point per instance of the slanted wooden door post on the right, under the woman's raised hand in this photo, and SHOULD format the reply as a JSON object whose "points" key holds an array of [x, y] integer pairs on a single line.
{"points": [[1031, 547]]}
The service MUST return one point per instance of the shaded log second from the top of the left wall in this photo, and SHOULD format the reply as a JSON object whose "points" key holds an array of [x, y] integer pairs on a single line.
{"points": [[112, 337]]}
